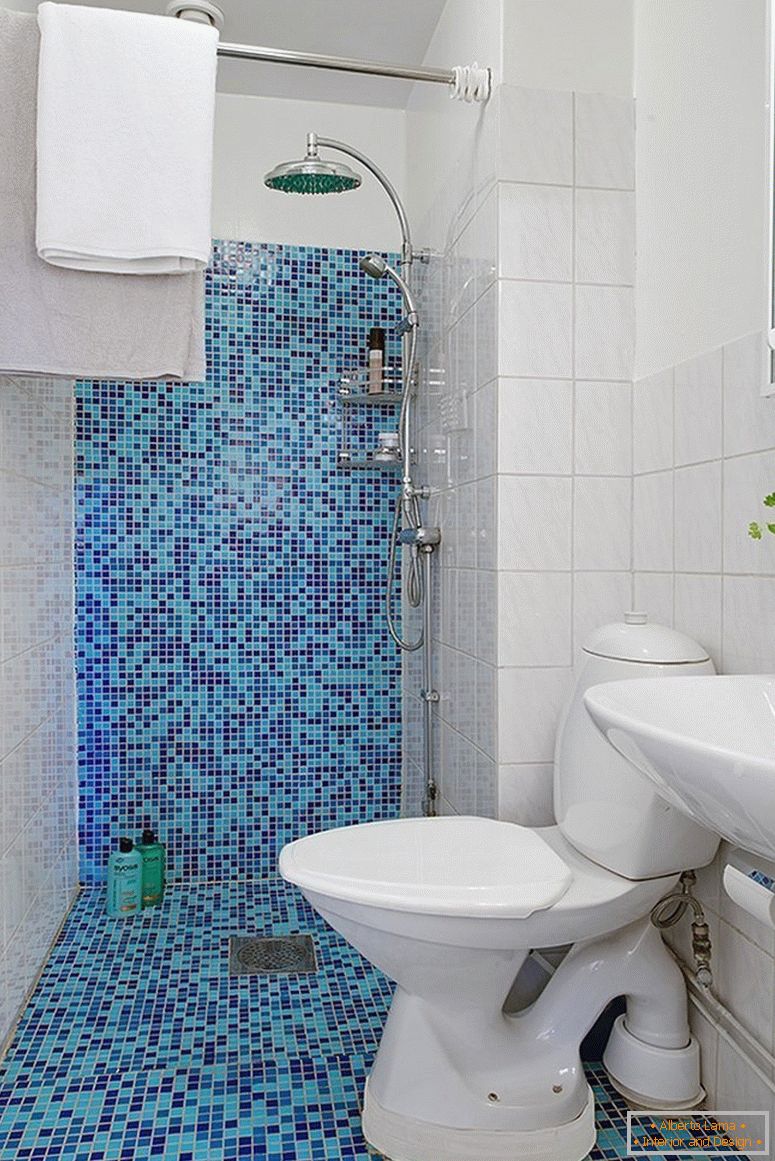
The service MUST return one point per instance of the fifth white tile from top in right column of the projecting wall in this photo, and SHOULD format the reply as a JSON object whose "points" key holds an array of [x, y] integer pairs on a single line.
{"points": [[603, 511]]}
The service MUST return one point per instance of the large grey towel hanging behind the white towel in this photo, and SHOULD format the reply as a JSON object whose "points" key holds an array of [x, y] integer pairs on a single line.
{"points": [[74, 323]]}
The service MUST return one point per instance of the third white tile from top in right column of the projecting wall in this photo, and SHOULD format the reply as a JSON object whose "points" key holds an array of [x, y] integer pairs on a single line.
{"points": [[605, 333]]}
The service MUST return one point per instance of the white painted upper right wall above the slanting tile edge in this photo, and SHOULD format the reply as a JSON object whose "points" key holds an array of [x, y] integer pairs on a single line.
{"points": [[701, 92]]}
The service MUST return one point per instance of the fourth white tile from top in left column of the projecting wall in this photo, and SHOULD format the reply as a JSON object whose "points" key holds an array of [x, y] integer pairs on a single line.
{"points": [[535, 427]]}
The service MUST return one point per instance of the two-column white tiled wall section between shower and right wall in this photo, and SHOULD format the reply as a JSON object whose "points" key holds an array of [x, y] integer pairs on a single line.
{"points": [[567, 269]]}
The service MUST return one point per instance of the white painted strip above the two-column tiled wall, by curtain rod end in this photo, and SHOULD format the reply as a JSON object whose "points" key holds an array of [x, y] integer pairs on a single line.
{"points": [[569, 45]]}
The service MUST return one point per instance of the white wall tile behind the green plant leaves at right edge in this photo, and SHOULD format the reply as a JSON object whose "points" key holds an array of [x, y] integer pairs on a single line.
{"points": [[748, 481]]}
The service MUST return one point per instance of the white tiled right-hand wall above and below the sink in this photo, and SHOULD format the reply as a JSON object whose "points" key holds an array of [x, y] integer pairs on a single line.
{"points": [[704, 448]]}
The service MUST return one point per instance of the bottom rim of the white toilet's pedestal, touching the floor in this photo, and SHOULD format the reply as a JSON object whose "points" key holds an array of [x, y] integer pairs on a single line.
{"points": [[401, 1138]]}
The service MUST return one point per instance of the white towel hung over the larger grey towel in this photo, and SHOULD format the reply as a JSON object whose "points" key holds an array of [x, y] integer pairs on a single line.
{"points": [[125, 141]]}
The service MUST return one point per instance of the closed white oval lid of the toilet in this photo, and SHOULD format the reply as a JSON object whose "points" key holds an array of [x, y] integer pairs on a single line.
{"points": [[444, 867]]}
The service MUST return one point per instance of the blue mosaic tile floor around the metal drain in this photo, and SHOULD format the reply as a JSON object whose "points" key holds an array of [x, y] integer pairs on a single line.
{"points": [[140, 1045]]}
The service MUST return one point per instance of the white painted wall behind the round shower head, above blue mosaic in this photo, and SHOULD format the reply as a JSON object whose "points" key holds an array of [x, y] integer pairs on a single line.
{"points": [[253, 134]]}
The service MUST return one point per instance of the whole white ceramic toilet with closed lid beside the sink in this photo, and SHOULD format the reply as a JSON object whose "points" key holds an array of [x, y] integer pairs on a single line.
{"points": [[451, 910]]}
